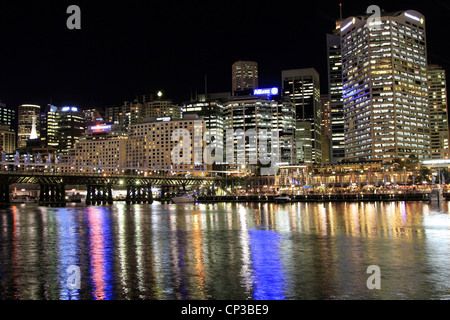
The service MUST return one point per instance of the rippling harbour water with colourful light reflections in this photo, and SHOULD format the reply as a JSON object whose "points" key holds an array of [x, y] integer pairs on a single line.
{"points": [[226, 251]]}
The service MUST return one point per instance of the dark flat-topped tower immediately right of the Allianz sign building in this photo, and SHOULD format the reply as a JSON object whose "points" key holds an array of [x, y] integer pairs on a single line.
{"points": [[302, 86]]}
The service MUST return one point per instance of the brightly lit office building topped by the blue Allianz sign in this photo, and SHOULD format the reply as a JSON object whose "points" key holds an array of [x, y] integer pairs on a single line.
{"points": [[262, 114]]}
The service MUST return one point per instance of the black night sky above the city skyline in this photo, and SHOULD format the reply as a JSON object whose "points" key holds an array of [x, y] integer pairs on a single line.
{"points": [[134, 47]]}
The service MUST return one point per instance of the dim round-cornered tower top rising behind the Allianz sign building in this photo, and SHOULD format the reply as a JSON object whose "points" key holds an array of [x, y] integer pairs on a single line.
{"points": [[244, 76]]}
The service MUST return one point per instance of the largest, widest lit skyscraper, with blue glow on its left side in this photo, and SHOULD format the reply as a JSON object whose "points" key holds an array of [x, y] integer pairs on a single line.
{"points": [[385, 90]]}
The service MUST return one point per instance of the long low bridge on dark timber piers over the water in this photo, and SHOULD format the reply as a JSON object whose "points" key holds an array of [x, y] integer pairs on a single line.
{"points": [[53, 179]]}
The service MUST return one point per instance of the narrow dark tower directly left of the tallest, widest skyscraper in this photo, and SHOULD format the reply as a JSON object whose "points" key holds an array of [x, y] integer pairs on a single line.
{"points": [[337, 144]]}
